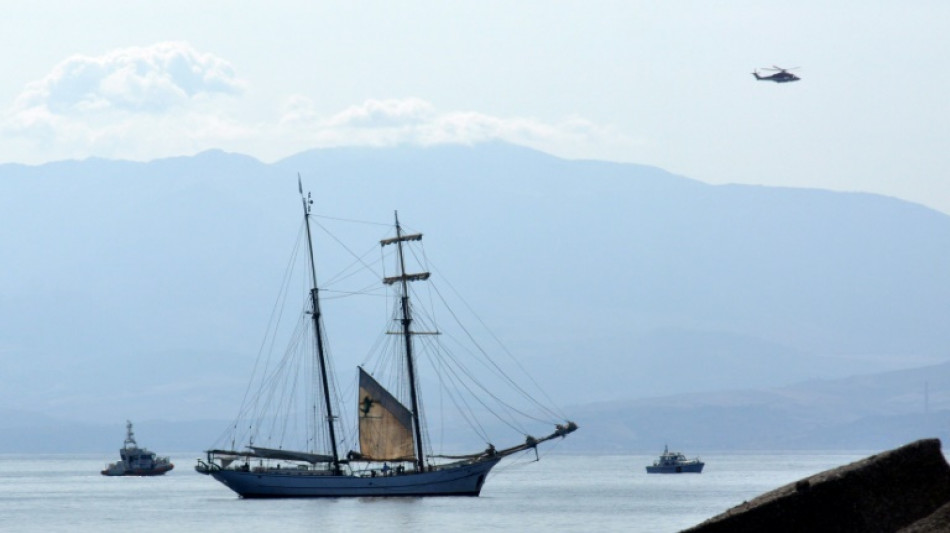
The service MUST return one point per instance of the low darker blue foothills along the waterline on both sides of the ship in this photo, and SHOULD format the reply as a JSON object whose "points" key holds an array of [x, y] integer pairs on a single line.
{"points": [[868, 412]]}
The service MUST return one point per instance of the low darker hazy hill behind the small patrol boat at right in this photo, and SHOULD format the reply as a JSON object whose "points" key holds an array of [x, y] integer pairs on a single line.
{"points": [[861, 412]]}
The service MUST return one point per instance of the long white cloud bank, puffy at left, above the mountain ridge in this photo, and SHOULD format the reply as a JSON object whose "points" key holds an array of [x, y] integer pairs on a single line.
{"points": [[169, 99]]}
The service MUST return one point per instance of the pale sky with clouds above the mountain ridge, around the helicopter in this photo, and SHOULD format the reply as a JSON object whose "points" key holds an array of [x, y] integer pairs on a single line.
{"points": [[659, 83]]}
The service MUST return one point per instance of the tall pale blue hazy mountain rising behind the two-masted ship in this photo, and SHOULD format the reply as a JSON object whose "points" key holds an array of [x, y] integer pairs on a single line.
{"points": [[141, 290]]}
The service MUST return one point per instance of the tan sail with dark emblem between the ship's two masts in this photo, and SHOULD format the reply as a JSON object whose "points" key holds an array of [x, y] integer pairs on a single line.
{"points": [[385, 424]]}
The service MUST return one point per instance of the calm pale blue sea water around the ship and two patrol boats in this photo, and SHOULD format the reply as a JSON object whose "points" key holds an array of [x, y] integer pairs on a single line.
{"points": [[53, 493]]}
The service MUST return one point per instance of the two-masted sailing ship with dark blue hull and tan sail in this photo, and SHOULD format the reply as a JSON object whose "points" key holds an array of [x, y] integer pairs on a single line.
{"points": [[393, 459]]}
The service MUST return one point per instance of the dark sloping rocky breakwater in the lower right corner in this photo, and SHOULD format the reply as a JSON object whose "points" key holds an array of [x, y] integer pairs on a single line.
{"points": [[902, 490]]}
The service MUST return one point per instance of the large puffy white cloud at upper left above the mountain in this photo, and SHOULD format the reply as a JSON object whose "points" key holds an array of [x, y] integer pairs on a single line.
{"points": [[167, 95]]}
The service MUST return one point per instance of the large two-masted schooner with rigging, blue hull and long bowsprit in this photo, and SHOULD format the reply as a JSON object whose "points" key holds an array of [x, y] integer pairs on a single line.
{"points": [[394, 456]]}
